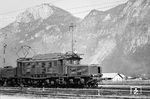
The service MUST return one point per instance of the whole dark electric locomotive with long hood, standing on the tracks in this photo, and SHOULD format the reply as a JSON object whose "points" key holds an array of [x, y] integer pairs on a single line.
{"points": [[51, 70]]}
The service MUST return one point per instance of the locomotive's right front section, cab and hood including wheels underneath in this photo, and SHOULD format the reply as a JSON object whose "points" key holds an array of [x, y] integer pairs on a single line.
{"points": [[80, 74]]}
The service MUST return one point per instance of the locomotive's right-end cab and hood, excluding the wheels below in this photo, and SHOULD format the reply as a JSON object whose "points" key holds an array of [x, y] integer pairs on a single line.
{"points": [[74, 68]]}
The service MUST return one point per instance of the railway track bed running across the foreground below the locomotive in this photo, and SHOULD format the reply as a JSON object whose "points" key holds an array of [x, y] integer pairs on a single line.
{"points": [[111, 91]]}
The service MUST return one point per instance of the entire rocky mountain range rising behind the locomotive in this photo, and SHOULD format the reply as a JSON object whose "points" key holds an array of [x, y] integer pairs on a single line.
{"points": [[118, 39]]}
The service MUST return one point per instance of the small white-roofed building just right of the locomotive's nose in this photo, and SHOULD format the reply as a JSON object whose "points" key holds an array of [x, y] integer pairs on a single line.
{"points": [[113, 76]]}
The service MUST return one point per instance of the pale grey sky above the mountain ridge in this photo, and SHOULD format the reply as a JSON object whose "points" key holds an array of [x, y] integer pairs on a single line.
{"points": [[10, 8]]}
